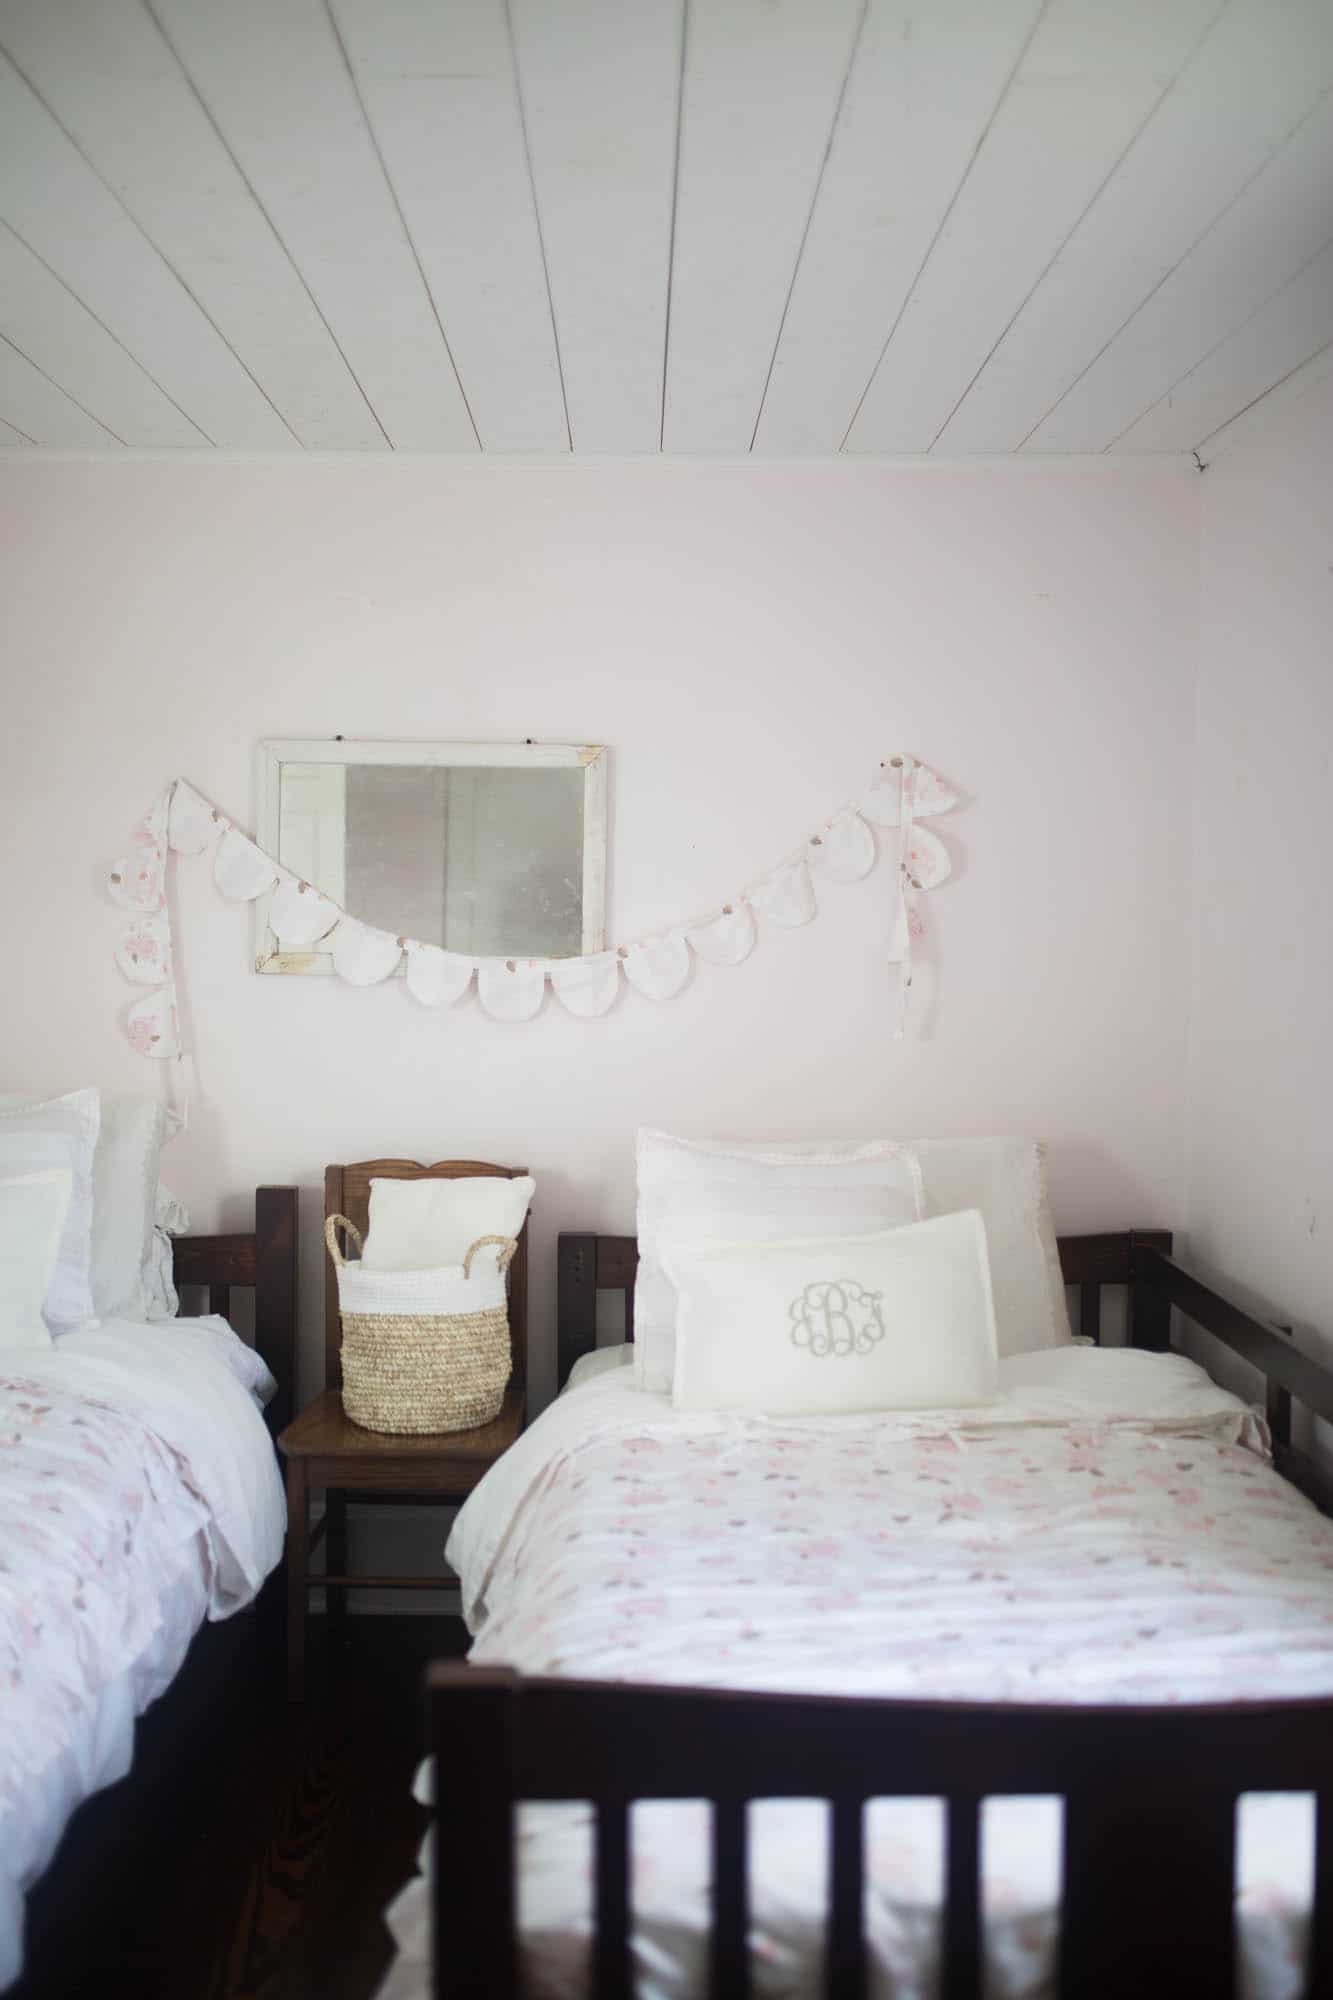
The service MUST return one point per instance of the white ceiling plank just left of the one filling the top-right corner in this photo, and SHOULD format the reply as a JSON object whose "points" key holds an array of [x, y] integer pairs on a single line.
{"points": [[1086, 87]]}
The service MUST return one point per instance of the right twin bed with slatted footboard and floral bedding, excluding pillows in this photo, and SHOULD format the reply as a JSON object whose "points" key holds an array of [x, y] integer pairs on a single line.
{"points": [[896, 1705]]}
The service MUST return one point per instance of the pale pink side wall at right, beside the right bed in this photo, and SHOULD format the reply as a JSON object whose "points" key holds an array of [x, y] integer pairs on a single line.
{"points": [[1262, 1045]]}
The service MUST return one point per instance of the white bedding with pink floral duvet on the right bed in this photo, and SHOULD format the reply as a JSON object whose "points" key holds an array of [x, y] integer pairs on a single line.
{"points": [[1108, 1533]]}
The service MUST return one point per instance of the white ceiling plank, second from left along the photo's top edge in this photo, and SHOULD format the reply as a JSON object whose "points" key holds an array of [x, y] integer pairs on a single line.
{"points": [[277, 87]]}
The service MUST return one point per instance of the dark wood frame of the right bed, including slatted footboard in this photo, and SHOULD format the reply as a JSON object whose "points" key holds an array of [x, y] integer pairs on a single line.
{"points": [[1150, 1793]]}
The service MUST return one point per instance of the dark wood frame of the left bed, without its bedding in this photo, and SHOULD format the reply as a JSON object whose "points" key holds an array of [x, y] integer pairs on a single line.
{"points": [[71, 1913]]}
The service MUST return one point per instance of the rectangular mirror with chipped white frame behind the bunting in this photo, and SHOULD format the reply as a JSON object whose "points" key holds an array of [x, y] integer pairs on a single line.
{"points": [[497, 851]]}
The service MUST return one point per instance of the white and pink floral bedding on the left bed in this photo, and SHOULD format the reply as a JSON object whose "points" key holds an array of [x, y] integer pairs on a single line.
{"points": [[139, 1495]]}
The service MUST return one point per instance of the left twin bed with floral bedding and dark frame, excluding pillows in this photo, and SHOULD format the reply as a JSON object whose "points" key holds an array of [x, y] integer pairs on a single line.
{"points": [[139, 1507]]}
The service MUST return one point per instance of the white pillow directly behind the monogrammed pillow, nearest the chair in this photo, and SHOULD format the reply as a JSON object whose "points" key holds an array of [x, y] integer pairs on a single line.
{"points": [[716, 1191]]}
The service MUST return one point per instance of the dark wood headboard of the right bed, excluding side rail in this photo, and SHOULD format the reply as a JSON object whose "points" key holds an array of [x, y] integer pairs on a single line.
{"points": [[591, 1265]]}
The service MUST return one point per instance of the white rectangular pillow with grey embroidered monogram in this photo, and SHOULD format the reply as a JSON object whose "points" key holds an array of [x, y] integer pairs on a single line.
{"points": [[826, 1327]]}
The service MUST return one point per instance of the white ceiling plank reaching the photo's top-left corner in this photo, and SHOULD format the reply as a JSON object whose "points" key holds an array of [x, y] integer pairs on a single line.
{"points": [[117, 89]]}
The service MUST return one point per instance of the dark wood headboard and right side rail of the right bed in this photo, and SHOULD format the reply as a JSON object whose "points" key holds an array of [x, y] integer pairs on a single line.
{"points": [[1136, 1259]]}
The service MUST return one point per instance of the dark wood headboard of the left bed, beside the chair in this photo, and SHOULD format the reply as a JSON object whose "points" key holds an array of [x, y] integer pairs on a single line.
{"points": [[263, 1259]]}
